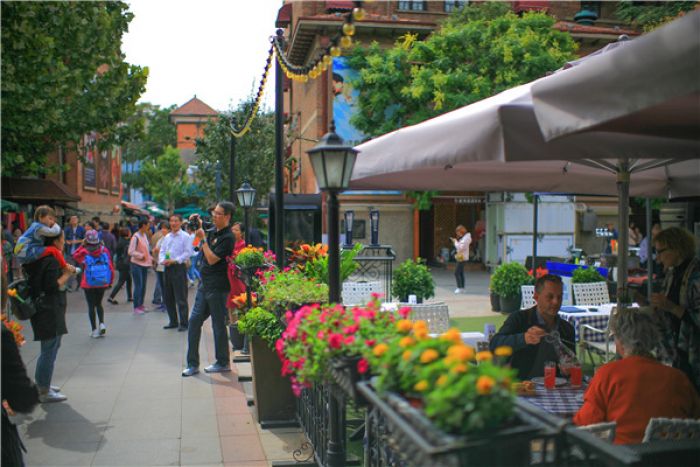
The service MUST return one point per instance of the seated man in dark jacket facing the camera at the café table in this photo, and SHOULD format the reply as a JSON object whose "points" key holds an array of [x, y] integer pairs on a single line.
{"points": [[525, 330]]}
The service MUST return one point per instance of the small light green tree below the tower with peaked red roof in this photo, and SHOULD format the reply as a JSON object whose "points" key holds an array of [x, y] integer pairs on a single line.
{"points": [[165, 178]]}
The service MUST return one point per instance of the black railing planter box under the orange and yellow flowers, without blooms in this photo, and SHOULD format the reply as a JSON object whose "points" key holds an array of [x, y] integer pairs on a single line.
{"points": [[405, 436]]}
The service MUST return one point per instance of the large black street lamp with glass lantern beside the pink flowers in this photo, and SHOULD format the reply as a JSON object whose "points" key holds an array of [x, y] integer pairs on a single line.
{"points": [[332, 162]]}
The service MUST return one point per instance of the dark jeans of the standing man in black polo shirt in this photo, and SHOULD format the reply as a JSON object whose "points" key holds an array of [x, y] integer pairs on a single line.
{"points": [[208, 303]]}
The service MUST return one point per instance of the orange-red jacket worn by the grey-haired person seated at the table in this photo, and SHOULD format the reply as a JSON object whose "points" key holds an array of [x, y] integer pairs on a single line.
{"points": [[633, 390]]}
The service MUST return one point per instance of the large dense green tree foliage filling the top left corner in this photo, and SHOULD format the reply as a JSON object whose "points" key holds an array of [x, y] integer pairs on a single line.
{"points": [[63, 75]]}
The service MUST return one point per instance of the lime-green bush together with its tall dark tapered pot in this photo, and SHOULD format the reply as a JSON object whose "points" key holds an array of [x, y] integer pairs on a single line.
{"points": [[272, 392]]}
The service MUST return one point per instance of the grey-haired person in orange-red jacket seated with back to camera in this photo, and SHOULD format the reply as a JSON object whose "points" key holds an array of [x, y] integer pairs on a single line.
{"points": [[637, 388]]}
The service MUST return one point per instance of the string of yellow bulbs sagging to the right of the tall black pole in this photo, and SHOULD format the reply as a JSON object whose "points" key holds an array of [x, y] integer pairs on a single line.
{"points": [[343, 40]]}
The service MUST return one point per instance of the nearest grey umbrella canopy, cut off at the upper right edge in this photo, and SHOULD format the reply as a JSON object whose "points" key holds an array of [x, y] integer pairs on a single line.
{"points": [[650, 86]]}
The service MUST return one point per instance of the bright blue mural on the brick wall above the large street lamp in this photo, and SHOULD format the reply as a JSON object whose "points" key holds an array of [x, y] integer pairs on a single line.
{"points": [[345, 101]]}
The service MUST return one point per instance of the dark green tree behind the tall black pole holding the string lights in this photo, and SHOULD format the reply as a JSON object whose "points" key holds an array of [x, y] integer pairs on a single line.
{"points": [[254, 159]]}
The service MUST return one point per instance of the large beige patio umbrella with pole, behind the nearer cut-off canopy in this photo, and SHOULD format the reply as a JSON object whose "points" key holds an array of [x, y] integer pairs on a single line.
{"points": [[496, 144]]}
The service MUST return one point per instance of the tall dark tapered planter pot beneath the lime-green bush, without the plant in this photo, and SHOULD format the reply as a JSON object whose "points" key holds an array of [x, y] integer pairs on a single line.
{"points": [[275, 403]]}
